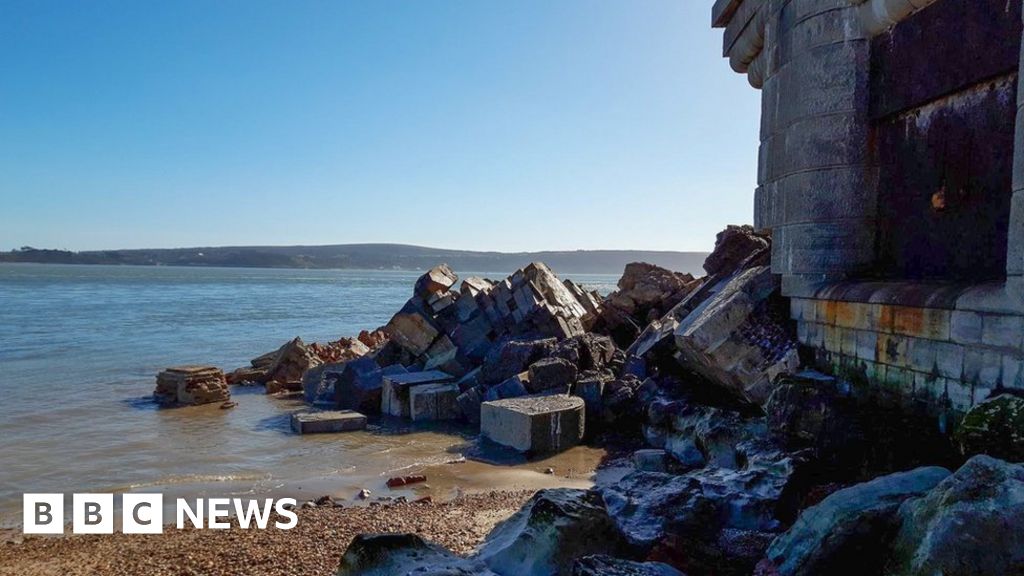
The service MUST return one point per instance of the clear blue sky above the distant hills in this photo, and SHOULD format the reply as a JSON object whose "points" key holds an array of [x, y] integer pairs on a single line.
{"points": [[514, 126]]}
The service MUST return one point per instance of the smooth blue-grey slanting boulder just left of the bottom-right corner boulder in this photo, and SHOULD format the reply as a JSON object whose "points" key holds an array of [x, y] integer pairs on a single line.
{"points": [[851, 527]]}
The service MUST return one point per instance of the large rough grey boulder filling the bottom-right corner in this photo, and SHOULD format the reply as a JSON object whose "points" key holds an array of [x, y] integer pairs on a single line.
{"points": [[972, 524]]}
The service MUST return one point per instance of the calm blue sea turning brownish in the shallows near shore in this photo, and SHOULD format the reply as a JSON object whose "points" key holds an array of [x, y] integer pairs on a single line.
{"points": [[80, 348]]}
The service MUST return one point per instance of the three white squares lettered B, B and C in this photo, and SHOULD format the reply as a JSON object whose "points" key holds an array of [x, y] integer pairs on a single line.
{"points": [[93, 514]]}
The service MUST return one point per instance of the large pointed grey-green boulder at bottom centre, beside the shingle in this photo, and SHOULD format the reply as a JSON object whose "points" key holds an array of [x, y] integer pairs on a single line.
{"points": [[554, 528]]}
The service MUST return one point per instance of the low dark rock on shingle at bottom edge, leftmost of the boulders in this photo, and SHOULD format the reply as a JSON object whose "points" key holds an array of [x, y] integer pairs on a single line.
{"points": [[404, 555]]}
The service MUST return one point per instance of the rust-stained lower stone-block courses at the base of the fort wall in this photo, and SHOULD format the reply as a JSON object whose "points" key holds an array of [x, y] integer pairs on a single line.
{"points": [[948, 359]]}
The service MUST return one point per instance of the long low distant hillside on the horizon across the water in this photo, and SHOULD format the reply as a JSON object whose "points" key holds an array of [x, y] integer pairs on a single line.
{"points": [[372, 257]]}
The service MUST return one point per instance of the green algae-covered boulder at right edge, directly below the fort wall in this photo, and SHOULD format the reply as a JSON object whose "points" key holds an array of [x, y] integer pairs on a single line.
{"points": [[995, 427]]}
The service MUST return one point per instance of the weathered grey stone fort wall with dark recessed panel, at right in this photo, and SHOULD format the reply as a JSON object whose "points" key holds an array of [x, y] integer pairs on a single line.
{"points": [[876, 242]]}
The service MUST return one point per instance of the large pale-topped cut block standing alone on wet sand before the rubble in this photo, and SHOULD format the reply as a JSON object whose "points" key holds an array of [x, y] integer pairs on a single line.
{"points": [[537, 425]]}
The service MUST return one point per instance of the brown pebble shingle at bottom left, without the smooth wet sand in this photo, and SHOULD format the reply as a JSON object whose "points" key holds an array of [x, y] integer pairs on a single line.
{"points": [[314, 548]]}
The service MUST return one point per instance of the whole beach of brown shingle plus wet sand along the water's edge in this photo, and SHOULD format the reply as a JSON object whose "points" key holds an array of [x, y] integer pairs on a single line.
{"points": [[468, 499]]}
